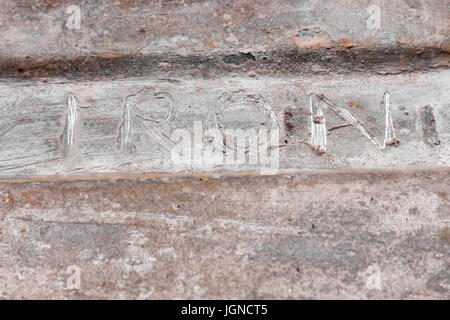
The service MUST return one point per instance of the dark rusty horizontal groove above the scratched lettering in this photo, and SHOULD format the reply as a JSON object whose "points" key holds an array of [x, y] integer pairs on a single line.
{"points": [[378, 60]]}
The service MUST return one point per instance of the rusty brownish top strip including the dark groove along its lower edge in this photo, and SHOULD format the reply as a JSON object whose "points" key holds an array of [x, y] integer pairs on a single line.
{"points": [[213, 38]]}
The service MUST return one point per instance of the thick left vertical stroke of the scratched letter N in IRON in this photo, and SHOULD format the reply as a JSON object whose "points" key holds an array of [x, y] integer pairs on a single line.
{"points": [[318, 127]]}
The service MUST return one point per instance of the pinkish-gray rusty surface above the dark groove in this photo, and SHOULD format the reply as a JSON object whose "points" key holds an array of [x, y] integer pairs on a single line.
{"points": [[38, 29]]}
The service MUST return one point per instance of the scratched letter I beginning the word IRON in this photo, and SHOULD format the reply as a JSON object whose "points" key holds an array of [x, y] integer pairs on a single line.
{"points": [[67, 139]]}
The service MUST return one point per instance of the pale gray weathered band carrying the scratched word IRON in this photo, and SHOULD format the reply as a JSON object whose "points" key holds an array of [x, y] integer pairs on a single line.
{"points": [[35, 117]]}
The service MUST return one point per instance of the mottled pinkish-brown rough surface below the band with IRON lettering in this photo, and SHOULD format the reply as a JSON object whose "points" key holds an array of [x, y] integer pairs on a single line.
{"points": [[310, 235]]}
